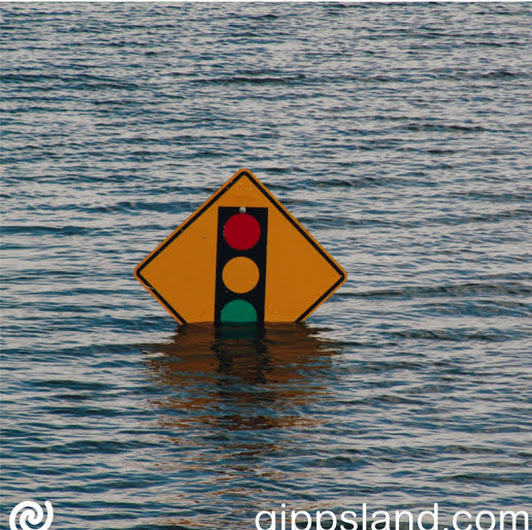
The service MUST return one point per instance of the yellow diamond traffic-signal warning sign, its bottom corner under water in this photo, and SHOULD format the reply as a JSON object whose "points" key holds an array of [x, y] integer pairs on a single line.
{"points": [[240, 258]]}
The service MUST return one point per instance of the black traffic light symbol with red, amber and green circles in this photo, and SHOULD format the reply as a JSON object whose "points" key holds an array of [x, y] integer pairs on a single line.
{"points": [[241, 264]]}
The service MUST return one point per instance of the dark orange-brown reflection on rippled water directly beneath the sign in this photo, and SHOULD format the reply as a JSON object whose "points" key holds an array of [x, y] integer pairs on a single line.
{"points": [[241, 377]]}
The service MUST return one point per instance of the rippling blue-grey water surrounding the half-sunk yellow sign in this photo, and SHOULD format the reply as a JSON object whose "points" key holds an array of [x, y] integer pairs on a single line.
{"points": [[399, 135]]}
